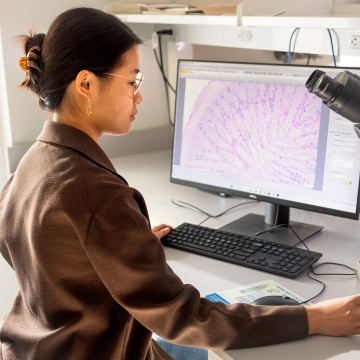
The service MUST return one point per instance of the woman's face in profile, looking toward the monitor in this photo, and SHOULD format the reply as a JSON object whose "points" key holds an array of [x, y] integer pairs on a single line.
{"points": [[114, 105]]}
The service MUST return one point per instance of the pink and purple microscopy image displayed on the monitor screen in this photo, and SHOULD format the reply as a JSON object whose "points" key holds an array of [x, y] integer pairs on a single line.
{"points": [[261, 131]]}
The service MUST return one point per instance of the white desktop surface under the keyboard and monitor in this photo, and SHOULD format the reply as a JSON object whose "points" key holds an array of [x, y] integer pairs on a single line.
{"points": [[339, 241]]}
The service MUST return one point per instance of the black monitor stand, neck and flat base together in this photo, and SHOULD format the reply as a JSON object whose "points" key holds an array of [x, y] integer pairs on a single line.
{"points": [[275, 215]]}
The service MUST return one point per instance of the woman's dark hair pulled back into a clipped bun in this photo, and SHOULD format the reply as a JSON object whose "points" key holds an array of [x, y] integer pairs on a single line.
{"points": [[78, 39]]}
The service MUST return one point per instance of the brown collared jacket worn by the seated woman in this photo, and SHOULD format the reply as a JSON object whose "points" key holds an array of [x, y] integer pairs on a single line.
{"points": [[94, 282]]}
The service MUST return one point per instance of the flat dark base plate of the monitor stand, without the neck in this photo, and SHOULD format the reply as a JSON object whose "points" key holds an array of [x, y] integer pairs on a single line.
{"points": [[250, 224]]}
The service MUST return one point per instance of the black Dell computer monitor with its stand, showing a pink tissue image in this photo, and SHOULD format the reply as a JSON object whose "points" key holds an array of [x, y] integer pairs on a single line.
{"points": [[255, 131]]}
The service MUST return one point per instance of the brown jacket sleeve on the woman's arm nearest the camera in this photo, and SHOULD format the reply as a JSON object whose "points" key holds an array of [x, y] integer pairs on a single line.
{"points": [[130, 261]]}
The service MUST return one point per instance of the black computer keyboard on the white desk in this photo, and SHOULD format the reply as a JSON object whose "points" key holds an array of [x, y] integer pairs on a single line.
{"points": [[241, 250]]}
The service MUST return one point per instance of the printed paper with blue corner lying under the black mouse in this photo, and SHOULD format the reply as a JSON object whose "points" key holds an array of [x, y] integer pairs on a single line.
{"points": [[249, 293]]}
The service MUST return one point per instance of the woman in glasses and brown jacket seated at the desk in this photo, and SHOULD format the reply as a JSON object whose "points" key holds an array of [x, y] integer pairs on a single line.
{"points": [[94, 283]]}
